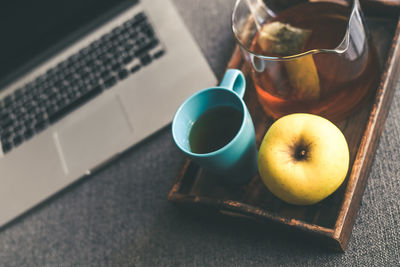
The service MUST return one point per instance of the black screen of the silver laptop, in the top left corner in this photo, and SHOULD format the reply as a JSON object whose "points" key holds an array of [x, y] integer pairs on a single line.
{"points": [[29, 28]]}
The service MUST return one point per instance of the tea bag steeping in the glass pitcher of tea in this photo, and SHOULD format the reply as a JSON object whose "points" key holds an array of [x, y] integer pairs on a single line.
{"points": [[284, 40]]}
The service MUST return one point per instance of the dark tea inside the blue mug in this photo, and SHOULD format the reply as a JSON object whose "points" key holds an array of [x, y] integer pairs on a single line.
{"points": [[214, 129]]}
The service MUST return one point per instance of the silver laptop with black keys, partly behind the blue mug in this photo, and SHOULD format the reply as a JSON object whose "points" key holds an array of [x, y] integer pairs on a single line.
{"points": [[81, 82]]}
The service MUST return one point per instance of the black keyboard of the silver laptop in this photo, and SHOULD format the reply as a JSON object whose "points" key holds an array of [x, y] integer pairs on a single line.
{"points": [[95, 68]]}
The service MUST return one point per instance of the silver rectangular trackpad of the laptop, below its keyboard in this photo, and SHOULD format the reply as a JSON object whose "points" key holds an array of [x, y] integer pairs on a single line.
{"points": [[92, 135]]}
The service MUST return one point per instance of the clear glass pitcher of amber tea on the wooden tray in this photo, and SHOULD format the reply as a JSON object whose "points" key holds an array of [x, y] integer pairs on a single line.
{"points": [[314, 57]]}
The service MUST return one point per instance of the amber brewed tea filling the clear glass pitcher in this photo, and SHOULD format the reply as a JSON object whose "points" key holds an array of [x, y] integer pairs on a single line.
{"points": [[327, 84]]}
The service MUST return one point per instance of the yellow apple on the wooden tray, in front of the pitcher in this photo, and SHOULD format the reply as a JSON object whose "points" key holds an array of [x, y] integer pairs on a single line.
{"points": [[303, 158]]}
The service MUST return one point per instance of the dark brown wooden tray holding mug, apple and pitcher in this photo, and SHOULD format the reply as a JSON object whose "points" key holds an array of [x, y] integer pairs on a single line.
{"points": [[330, 221]]}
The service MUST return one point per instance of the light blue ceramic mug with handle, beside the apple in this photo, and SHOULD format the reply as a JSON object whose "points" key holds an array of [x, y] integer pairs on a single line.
{"points": [[236, 161]]}
